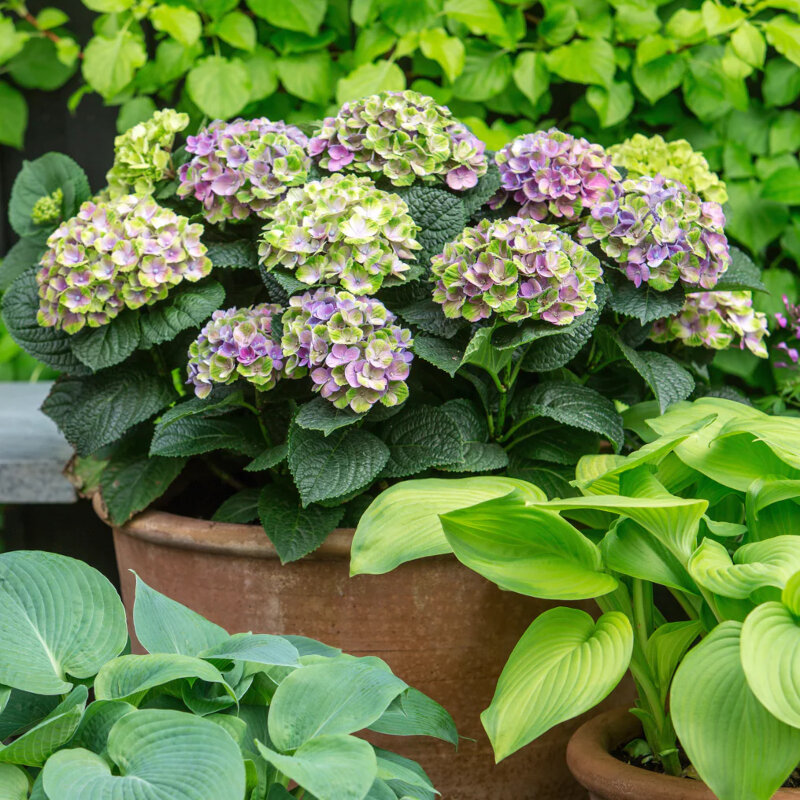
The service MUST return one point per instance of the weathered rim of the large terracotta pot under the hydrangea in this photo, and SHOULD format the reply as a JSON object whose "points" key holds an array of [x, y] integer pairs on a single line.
{"points": [[224, 538]]}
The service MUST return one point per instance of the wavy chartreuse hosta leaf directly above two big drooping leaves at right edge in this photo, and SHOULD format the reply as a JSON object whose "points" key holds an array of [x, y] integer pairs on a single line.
{"points": [[768, 563]]}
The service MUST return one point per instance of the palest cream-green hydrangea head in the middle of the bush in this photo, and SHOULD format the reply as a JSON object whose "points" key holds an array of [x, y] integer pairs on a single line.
{"points": [[341, 229]]}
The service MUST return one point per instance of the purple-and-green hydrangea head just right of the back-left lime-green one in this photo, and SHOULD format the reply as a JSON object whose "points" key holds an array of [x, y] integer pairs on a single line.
{"points": [[243, 167]]}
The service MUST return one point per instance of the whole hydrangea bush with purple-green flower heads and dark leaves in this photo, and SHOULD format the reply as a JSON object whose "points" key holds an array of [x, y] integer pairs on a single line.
{"points": [[264, 323]]}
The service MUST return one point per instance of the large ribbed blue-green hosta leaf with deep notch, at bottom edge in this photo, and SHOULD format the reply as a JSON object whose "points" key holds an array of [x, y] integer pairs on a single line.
{"points": [[160, 755]]}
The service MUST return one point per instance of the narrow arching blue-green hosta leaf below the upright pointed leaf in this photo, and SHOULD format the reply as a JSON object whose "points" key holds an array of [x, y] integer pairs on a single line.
{"points": [[129, 677]]}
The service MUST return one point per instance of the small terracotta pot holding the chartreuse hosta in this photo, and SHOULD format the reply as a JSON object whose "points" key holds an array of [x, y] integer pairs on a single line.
{"points": [[607, 778]]}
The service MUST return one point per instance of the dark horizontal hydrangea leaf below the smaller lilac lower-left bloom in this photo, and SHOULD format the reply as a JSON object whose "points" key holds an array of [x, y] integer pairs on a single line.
{"points": [[194, 435]]}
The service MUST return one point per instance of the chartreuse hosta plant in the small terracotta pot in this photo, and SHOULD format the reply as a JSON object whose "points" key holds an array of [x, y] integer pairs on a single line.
{"points": [[690, 547]]}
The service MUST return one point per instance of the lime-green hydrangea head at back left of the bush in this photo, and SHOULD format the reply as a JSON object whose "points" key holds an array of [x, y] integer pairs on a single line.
{"points": [[142, 155]]}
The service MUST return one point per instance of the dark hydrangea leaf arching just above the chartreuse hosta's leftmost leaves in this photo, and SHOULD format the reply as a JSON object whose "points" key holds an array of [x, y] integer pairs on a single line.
{"points": [[572, 404]]}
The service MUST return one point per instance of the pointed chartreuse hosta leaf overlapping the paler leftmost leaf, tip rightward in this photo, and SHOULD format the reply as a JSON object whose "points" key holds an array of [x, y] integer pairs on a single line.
{"points": [[527, 549]]}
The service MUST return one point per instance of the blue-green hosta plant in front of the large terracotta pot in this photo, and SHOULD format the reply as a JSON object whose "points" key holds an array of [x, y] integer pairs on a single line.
{"points": [[202, 714]]}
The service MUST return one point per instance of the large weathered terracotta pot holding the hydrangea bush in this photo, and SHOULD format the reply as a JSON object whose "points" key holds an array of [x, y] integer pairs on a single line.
{"points": [[442, 628]]}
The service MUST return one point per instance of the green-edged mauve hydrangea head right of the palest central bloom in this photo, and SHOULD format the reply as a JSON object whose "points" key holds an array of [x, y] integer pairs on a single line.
{"points": [[517, 268]]}
